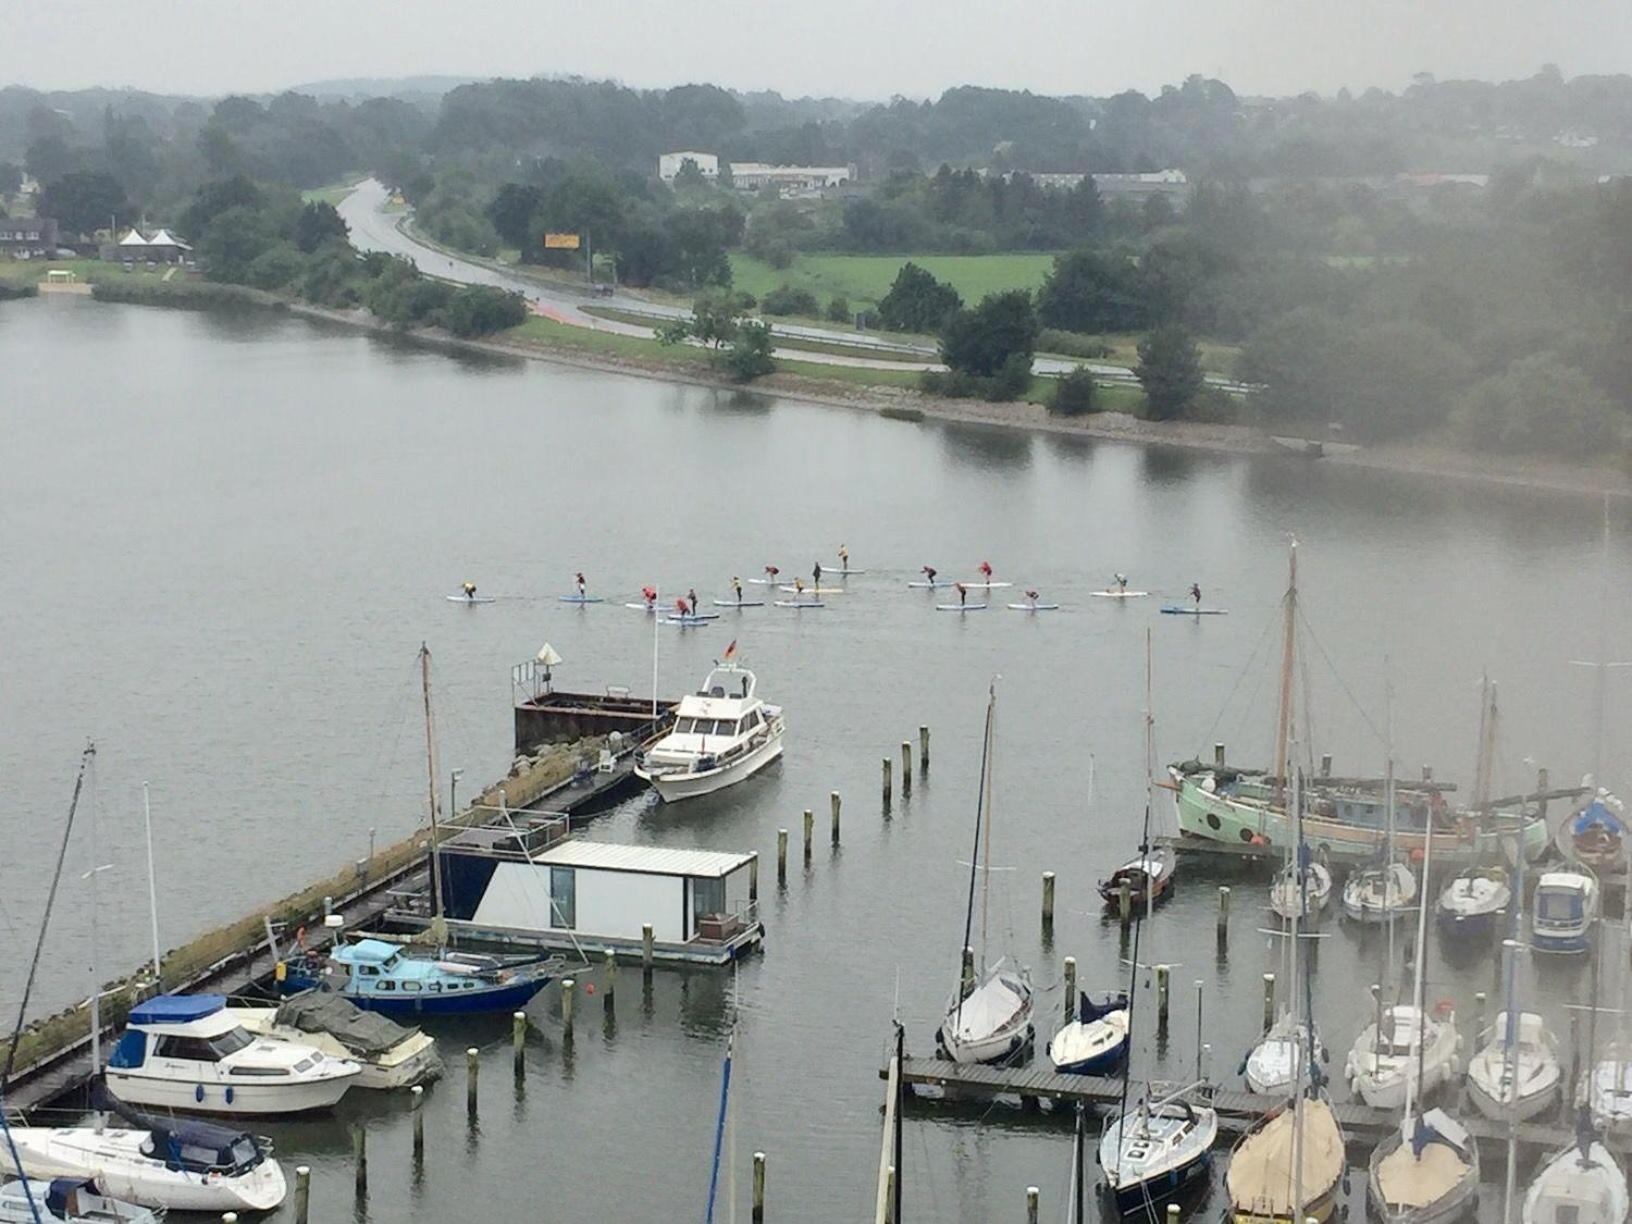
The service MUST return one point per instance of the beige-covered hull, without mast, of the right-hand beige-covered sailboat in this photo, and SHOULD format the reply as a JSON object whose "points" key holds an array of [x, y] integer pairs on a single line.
{"points": [[1426, 1173]]}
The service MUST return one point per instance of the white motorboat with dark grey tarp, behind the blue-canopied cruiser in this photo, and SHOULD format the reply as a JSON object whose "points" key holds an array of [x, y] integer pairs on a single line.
{"points": [[391, 1055]]}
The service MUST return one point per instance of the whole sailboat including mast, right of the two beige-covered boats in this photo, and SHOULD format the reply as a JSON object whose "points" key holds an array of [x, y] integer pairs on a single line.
{"points": [[1427, 1171]]}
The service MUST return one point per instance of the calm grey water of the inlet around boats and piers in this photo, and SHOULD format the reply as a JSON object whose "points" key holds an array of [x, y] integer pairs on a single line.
{"points": [[226, 538]]}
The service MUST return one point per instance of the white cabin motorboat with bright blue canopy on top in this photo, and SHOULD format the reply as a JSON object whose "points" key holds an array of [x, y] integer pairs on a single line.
{"points": [[187, 1052]]}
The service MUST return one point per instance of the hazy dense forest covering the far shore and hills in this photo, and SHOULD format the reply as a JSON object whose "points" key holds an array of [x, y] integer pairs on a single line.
{"points": [[1492, 303]]}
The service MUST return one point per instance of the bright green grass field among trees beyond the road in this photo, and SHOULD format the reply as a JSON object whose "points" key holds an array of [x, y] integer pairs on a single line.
{"points": [[867, 278]]}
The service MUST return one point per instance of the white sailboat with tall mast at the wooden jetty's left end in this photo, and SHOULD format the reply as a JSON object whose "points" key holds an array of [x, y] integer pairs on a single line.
{"points": [[990, 1018]]}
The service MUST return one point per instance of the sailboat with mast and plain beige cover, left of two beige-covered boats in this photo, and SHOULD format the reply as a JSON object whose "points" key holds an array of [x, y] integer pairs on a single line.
{"points": [[1288, 1166]]}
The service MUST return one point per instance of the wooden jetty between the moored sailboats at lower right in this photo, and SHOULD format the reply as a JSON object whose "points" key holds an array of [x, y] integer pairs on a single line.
{"points": [[1238, 1111]]}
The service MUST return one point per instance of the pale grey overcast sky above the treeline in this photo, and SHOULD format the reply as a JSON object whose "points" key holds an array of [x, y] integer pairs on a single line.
{"points": [[851, 48]]}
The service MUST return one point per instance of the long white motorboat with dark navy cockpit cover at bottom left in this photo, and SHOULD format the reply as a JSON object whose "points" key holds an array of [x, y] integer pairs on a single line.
{"points": [[184, 1166]]}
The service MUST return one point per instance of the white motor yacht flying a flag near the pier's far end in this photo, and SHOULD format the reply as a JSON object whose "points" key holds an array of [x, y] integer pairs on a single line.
{"points": [[722, 735]]}
